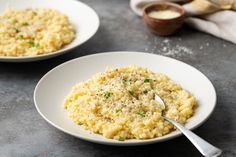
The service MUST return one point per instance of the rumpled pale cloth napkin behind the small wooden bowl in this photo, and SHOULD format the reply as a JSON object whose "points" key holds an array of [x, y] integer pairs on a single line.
{"points": [[204, 15]]}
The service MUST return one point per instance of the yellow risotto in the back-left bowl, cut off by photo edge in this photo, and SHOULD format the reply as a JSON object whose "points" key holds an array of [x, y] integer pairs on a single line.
{"points": [[30, 32]]}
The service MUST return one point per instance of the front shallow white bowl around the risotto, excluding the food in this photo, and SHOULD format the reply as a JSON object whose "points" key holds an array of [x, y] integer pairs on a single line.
{"points": [[57, 83]]}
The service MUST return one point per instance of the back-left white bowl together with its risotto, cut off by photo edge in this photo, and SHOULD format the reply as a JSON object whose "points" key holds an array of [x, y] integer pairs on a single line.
{"points": [[41, 29]]}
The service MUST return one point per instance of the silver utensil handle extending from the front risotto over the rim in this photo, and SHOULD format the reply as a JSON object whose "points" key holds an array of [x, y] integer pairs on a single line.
{"points": [[205, 148]]}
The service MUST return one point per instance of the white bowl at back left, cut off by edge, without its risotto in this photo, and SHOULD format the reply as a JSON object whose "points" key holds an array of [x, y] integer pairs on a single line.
{"points": [[84, 19]]}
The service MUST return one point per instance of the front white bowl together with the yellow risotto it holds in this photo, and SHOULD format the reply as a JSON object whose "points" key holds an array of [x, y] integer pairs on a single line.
{"points": [[115, 106]]}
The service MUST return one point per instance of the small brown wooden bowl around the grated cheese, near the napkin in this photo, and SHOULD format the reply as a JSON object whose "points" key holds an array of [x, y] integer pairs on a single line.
{"points": [[164, 27]]}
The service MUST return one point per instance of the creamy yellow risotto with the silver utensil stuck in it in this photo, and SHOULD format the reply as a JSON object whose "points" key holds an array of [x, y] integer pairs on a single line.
{"points": [[119, 103]]}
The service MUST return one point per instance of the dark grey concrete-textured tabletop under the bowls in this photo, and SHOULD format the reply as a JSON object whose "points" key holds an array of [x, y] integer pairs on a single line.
{"points": [[24, 133]]}
